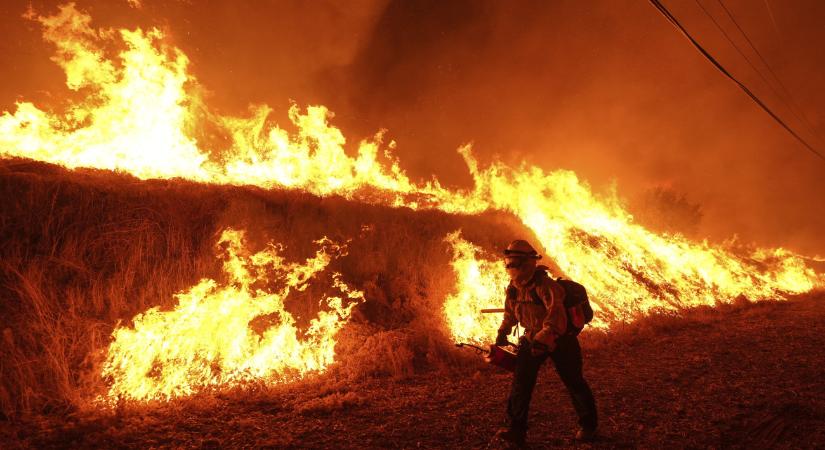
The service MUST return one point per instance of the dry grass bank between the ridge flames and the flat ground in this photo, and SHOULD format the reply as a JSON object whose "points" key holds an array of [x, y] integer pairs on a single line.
{"points": [[81, 252]]}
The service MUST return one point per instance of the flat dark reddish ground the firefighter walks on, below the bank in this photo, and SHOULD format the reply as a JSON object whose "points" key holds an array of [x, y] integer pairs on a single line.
{"points": [[745, 376]]}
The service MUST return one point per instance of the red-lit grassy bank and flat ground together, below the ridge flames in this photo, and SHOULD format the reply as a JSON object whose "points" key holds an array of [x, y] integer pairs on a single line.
{"points": [[84, 251]]}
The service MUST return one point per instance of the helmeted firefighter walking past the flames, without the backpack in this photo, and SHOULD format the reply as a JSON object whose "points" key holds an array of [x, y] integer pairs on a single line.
{"points": [[536, 302]]}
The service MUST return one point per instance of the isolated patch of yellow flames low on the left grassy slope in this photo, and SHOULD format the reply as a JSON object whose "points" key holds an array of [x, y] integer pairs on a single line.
{"points": [[207, 339]]}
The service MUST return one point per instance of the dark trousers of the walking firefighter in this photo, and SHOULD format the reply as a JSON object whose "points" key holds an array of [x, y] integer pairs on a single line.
{"points": [[567, 359]]}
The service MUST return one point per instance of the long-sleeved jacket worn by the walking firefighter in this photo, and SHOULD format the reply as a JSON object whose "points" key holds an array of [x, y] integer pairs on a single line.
{"points": [[538, 306]]}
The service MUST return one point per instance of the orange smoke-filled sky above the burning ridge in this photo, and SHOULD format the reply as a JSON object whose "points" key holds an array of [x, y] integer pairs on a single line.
{"points": [[606, 88]]}
